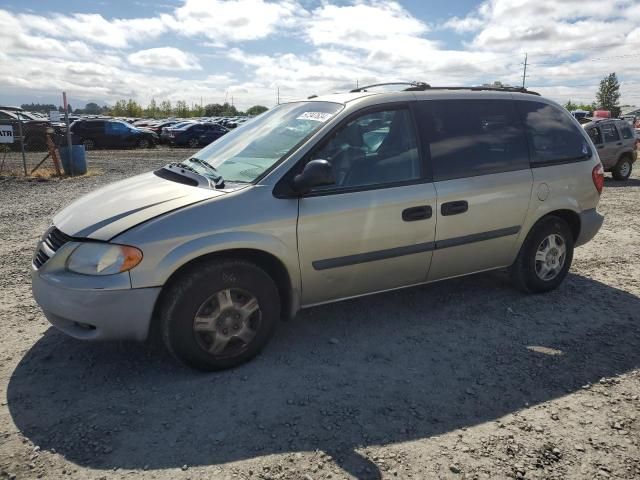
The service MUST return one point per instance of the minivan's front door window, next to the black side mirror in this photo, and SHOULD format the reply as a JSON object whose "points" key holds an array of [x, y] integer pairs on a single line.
{"points": [[373, 149]]}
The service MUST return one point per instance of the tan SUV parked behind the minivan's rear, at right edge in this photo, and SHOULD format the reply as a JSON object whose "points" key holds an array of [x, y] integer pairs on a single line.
{"points": [[615, 140]]}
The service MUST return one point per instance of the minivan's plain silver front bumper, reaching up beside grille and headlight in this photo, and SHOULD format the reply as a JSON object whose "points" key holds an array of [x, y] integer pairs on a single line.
{"points": [[93, 308]]}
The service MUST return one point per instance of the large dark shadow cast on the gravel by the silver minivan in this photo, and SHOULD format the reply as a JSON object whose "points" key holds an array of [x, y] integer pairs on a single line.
{"points": [[379, 370]]}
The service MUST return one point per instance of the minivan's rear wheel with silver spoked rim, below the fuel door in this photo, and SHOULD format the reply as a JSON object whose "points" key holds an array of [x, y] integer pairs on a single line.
{"points": [[545, 256]]}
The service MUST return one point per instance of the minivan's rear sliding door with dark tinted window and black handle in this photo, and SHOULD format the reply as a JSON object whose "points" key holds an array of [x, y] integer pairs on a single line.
{"points": [[478, 152]]}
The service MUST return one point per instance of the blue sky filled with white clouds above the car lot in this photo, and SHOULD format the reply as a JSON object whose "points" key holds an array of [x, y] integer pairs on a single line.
{"points": [[103, 51]]}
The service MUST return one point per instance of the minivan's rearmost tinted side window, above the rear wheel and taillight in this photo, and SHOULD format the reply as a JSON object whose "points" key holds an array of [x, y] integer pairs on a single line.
{"points": [[553, 136]]}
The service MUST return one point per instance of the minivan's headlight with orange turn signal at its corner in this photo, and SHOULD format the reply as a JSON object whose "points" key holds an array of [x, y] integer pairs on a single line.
{"points": [[103, 259]]}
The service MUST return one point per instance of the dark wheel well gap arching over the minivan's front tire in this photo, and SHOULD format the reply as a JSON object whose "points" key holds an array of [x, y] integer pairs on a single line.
{"points": [[268, 262]]}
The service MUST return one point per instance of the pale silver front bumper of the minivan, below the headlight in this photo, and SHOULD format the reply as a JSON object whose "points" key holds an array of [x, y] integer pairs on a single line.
{"points": [[95, 314]]}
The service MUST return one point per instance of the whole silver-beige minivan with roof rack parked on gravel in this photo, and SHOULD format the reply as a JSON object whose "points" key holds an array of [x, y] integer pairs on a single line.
{"points": [[317, 201]]}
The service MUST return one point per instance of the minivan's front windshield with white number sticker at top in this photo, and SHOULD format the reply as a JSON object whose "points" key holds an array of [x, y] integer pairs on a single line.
{"points": [[248, 151]]}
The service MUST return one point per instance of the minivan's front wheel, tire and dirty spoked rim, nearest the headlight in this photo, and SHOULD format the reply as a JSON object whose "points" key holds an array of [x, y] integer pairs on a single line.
{"points": [[219, 314]]}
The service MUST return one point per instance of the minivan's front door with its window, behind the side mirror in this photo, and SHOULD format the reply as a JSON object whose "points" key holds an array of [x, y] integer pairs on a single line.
{"points": [[373, 229]]}
